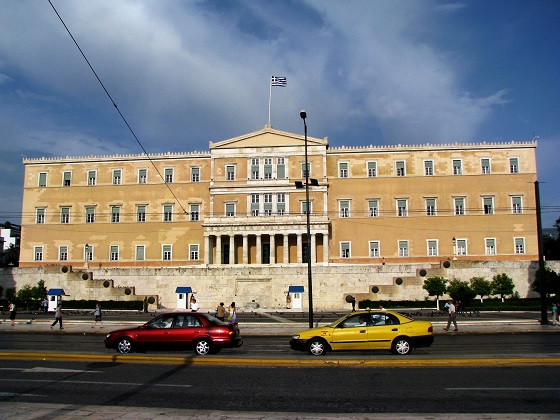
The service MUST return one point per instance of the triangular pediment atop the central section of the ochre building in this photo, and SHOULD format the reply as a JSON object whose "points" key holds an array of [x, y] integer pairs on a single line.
{"points": [[268, 137]]}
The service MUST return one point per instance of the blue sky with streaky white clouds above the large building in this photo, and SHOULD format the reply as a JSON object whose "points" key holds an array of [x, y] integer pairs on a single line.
{"points": [[184, 73]]}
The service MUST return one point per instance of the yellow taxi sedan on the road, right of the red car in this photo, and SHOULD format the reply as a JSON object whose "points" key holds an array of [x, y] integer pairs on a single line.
{"points": [[366, 330]]}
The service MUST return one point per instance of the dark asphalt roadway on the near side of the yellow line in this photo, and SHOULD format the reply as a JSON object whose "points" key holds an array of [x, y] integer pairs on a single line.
{"points": [[449, 390]]}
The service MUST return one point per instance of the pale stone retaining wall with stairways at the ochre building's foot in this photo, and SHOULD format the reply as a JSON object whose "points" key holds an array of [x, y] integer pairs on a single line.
{"points": [[265, 286]]}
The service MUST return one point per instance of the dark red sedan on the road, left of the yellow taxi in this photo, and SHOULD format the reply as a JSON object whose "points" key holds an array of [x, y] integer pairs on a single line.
{"points": [[177, 331]]}
